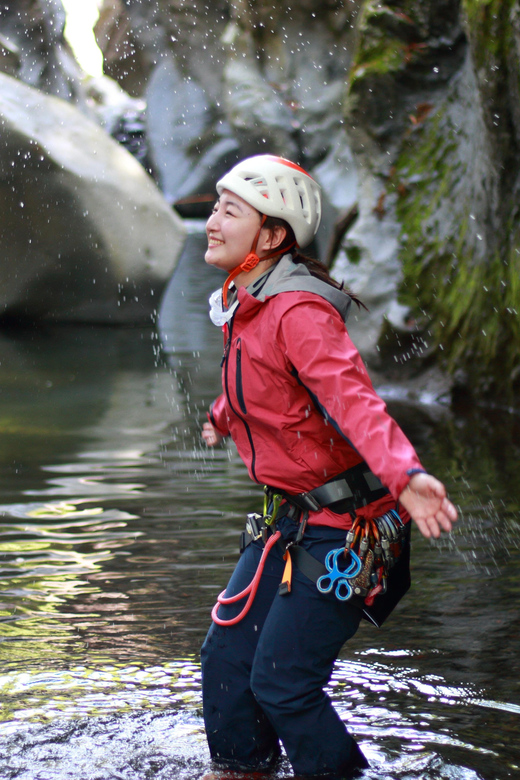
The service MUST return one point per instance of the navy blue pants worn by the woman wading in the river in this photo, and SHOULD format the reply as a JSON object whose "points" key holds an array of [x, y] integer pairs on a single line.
{"points": [[263, 678]]}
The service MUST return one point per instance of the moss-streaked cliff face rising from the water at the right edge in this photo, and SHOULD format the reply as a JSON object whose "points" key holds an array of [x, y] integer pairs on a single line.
{"points": [[455, 177]]}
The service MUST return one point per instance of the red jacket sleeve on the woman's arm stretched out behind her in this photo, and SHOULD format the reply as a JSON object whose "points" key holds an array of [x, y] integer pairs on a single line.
{"points": [[317, 344]]}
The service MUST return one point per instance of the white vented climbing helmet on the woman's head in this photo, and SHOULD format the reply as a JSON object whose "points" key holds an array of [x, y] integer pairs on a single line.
{"points": [[278, 188]]}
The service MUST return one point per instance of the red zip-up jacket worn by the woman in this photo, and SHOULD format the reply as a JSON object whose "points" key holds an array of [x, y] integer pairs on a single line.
{"points": [[299, 404]]}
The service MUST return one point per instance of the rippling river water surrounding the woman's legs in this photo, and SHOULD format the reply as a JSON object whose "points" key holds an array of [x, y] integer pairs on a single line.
{"points": [[118, 530]]}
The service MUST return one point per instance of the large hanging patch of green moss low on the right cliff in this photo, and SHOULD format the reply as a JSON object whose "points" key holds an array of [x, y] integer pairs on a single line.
{"points": [[472, 307]]}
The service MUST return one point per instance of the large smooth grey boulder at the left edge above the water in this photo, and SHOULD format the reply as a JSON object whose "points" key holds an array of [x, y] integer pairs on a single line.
{"points": [[84, 233]]}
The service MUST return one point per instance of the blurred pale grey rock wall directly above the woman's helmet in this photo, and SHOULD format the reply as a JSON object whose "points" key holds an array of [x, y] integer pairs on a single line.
{"points": [[240, 88]]}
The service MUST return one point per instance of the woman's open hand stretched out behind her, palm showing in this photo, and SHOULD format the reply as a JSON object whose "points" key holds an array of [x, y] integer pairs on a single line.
{"points": [[424, 498]]}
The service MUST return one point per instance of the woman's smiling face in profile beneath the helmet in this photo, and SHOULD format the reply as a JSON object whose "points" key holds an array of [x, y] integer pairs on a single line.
{"points": [[231, 230]]}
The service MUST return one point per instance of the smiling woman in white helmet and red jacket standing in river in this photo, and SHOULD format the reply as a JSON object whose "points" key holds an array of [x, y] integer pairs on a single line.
{"points": [[306, 421]]}
